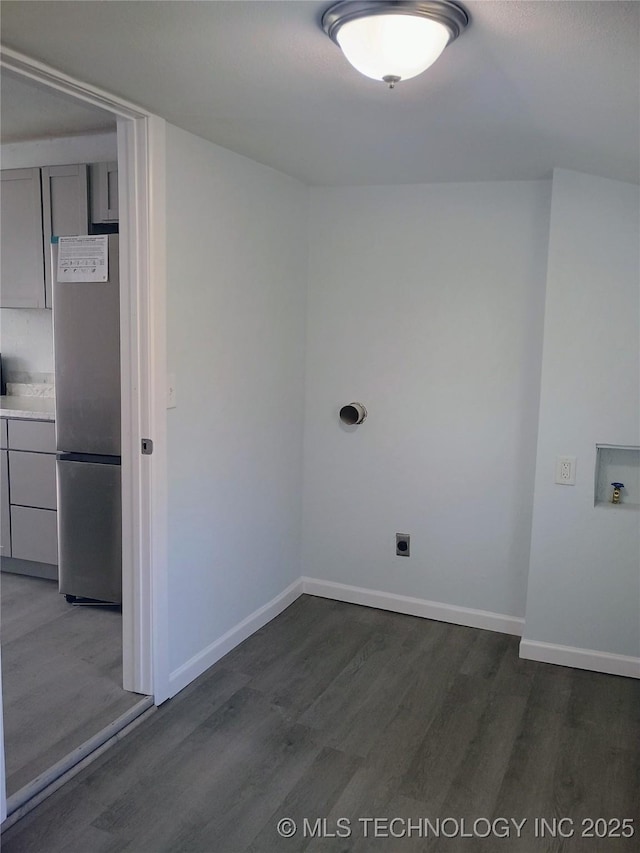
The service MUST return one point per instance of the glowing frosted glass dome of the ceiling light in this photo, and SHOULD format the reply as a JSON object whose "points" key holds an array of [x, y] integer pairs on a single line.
{"points": [[400, 46]]}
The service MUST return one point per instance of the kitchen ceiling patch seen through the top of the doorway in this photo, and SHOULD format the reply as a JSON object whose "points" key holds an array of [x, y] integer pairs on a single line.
{"points": [[30, 111]]}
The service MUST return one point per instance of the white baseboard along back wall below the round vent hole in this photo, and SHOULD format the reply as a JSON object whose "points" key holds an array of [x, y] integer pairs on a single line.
{"points": [[415, 606]]}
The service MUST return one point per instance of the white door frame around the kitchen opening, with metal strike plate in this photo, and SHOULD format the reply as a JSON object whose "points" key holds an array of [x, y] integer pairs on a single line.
{"points": [[141, 184]]}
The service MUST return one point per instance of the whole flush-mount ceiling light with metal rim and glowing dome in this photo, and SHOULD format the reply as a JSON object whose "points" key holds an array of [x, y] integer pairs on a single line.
{"points": [[393, 41]]}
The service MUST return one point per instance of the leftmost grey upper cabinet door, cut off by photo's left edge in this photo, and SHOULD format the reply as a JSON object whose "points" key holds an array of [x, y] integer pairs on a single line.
{"points": [[21, 250]]}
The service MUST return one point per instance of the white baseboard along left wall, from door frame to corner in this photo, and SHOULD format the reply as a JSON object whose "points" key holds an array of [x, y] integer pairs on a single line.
{"points": [[198, 664]]}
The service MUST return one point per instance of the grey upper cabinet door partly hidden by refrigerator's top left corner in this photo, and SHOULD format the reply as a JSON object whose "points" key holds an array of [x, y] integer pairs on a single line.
{"points": [[65, 205]]}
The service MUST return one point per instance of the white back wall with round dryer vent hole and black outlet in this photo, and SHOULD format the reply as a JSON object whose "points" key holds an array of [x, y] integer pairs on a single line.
{"points": [[425, 304]]}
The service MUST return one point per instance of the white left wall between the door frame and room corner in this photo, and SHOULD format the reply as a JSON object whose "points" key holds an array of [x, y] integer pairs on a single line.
{"points": [[236, 261]]}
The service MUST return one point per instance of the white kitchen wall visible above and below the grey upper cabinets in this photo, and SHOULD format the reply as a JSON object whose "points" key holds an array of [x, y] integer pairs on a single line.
{"points": [[26, 335]]}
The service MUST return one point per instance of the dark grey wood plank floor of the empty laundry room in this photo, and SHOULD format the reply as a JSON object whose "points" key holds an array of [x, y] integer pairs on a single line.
{"points": [[339, 711]]}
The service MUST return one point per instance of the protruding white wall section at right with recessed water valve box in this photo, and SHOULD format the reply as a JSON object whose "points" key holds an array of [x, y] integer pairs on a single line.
{"points": [[584, 581]]}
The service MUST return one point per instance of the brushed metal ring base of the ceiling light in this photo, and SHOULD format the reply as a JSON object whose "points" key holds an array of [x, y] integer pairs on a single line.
{"points": [[445, 12]]}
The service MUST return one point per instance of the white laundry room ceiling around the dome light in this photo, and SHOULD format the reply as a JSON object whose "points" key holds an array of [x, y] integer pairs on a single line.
{"points": [[528, 86]]}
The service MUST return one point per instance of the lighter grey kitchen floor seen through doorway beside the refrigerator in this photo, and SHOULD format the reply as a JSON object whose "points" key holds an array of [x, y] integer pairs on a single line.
{"points": [[61, 674]]}
